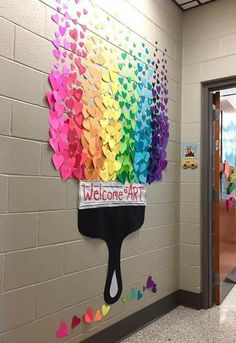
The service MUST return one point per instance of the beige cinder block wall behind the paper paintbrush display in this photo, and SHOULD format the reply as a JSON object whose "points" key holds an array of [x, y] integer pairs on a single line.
{"points": [[48, 271]]}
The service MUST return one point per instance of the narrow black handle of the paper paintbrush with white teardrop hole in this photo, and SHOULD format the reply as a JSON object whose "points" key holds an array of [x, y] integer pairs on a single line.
{"points": [[113, 286]]}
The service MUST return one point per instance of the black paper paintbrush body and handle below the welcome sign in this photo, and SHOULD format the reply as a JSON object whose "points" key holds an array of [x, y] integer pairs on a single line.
{"points": [[112, 224]]}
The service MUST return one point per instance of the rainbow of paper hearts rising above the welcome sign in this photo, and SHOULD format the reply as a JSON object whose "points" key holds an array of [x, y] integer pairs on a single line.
{"points": [[108, 107]]}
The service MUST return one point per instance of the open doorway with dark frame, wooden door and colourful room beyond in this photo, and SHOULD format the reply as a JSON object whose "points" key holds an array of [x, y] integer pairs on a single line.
{"points": [[218, 202]]}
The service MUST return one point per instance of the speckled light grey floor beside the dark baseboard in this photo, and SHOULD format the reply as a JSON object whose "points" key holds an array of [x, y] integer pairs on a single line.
{"points": [[184, 325]]}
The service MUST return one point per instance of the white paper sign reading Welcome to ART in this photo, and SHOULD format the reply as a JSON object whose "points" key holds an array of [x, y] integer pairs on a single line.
{"points": [[103, 194]]}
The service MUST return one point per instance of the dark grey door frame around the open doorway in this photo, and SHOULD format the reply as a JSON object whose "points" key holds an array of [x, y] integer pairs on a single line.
{"points": [[206, 185]]}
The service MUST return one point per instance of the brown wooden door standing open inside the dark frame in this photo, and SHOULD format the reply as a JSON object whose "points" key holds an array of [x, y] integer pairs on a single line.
{"points": [[224, 221]]}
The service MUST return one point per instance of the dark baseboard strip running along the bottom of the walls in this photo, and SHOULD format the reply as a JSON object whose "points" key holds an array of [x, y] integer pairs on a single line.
{"points": [[126, 327]]}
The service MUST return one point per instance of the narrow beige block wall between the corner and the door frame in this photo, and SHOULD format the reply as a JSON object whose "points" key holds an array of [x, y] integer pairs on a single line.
{"points": [[209, 53]]}
